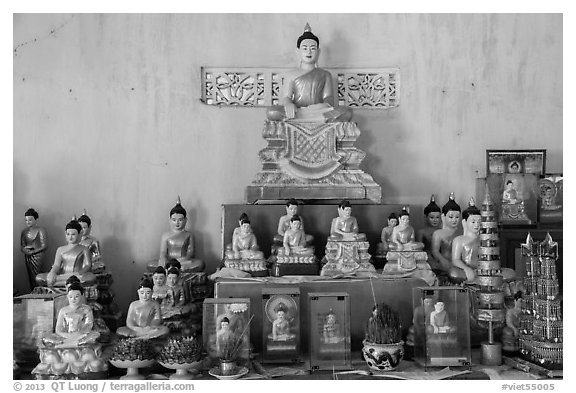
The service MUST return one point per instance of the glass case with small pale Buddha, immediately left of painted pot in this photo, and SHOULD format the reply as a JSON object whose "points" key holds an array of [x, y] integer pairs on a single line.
{"points": [[329, 331]]}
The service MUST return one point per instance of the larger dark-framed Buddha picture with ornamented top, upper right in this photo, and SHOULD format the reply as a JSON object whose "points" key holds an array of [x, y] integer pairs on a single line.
{"points": [[512, 177]]}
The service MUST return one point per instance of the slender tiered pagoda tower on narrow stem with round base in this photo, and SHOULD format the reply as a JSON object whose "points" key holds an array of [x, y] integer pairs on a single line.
{"points": [[490, 310]]}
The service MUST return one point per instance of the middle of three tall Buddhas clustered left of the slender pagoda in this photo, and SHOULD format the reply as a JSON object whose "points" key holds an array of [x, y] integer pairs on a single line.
{"points": [[442, 238]]}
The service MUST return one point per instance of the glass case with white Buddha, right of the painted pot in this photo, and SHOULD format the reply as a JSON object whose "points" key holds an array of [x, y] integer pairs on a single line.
{"points": [[441, 326]]}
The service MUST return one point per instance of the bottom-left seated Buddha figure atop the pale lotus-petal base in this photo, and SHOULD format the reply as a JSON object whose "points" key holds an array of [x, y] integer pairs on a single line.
{"points": [[74, 323]]}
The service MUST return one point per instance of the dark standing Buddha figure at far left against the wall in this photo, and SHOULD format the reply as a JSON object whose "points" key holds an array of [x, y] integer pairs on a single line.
{"points": [[33, 244]]}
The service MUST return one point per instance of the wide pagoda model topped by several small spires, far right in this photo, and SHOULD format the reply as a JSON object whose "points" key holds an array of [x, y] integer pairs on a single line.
{"points": [[541, 332]]}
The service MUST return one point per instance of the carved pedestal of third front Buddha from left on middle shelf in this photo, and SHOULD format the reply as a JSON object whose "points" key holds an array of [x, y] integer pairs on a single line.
{"points": [[347, 257]]}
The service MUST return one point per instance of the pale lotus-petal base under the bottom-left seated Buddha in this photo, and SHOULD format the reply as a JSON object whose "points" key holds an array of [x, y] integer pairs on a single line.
{"points": [[70, 363]]}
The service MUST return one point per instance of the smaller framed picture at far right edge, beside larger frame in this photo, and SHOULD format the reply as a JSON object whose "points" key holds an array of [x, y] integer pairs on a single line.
{"points": [[550, 198]]}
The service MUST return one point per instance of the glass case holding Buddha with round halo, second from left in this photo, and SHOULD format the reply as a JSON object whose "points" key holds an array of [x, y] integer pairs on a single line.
{"points": [[281, 325]]}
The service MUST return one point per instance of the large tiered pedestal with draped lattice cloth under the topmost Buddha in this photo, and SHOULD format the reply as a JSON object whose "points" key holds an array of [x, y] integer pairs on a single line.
{"points": [[312, 161]]}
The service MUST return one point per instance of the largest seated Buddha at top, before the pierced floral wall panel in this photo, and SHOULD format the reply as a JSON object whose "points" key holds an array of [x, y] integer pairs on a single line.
{"points": [[307, 93]]}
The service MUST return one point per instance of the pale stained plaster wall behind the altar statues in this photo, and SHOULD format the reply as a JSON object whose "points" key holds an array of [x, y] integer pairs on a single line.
{"points": [[107, 114]]}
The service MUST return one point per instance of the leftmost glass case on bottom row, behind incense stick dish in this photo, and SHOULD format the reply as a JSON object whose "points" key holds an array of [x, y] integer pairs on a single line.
{"points": [[226, 329]]}
